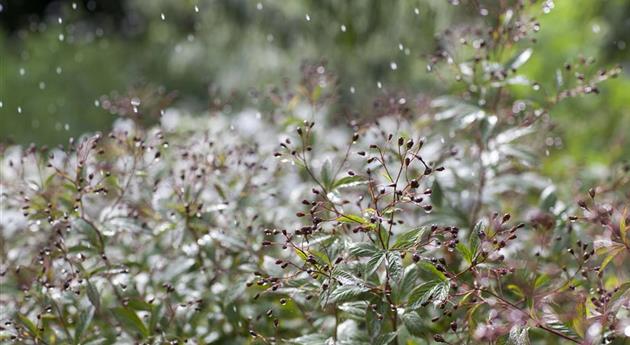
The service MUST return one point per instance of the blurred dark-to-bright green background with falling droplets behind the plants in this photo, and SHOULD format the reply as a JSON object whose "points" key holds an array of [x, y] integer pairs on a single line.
{"points": [[63, 61]]}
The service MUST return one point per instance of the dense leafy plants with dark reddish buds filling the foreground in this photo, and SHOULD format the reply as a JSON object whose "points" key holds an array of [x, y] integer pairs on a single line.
{"points": [[432, 224]]}
